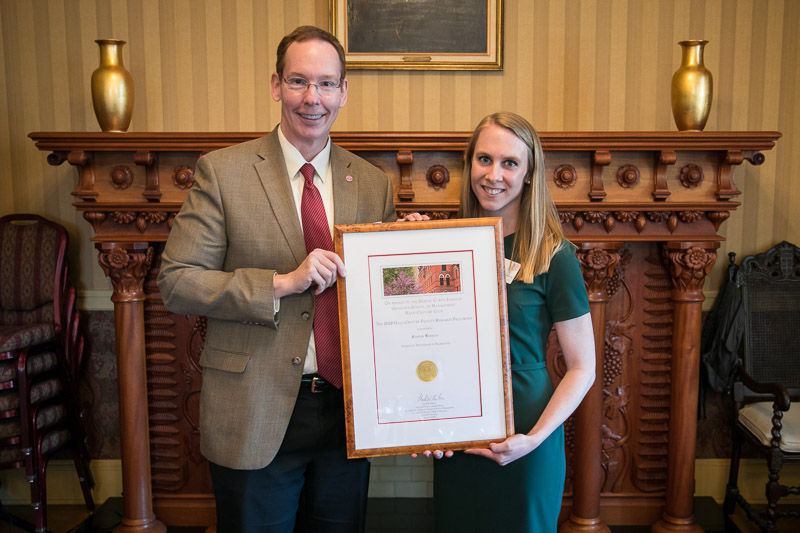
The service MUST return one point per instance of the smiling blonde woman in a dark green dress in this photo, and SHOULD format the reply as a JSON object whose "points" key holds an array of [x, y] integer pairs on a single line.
{"points": [[516, 485]]}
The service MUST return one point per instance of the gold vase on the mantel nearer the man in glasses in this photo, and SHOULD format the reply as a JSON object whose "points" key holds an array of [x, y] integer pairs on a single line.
{"points": [[112, 88]]}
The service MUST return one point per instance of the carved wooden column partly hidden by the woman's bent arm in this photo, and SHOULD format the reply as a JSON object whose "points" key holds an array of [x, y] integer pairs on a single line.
{"points": [[598, 261]]}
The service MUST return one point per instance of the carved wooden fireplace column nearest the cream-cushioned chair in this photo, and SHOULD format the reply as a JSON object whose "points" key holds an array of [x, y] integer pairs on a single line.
{"points": [[689, 263]]}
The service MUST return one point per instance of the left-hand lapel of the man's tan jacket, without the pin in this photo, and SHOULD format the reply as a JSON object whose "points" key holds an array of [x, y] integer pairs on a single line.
{"points": [[272, 173]]}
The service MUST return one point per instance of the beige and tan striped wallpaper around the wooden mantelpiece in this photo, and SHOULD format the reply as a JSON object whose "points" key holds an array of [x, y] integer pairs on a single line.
{"points": [[587, 65]]}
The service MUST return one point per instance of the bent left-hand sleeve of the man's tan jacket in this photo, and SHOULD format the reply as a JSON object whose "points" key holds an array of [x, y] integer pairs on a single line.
{"points": [[192, 278]]}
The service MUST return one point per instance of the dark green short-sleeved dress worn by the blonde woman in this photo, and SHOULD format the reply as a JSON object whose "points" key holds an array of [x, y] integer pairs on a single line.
{"points": [[475, 494]]}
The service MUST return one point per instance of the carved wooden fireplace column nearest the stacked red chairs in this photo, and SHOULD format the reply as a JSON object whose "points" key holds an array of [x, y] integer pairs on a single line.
{"points": [[126, 265]]}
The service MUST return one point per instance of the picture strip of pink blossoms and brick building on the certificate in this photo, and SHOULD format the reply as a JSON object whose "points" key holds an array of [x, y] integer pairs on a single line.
{"points": [[421, 279]]}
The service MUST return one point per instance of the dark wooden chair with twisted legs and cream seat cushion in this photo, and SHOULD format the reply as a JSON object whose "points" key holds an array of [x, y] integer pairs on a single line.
{"points": [[768, 380]]}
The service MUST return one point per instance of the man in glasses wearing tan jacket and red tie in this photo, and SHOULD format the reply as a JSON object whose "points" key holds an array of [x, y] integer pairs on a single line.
{"points": [[271, 427]]}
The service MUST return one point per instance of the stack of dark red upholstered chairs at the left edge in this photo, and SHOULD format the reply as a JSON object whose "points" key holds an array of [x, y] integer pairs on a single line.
{"points": [[40, 354]]}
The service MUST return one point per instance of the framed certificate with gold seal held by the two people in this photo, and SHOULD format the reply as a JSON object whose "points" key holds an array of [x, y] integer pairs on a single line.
{"points": [[425, 353]]}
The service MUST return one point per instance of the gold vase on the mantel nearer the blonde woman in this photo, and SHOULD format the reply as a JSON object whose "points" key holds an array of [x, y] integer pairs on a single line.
{"points": [[691, 88]]}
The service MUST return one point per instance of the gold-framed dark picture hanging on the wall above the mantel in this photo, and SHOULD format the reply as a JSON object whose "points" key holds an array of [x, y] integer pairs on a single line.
{"points": [[420, 35]]}
